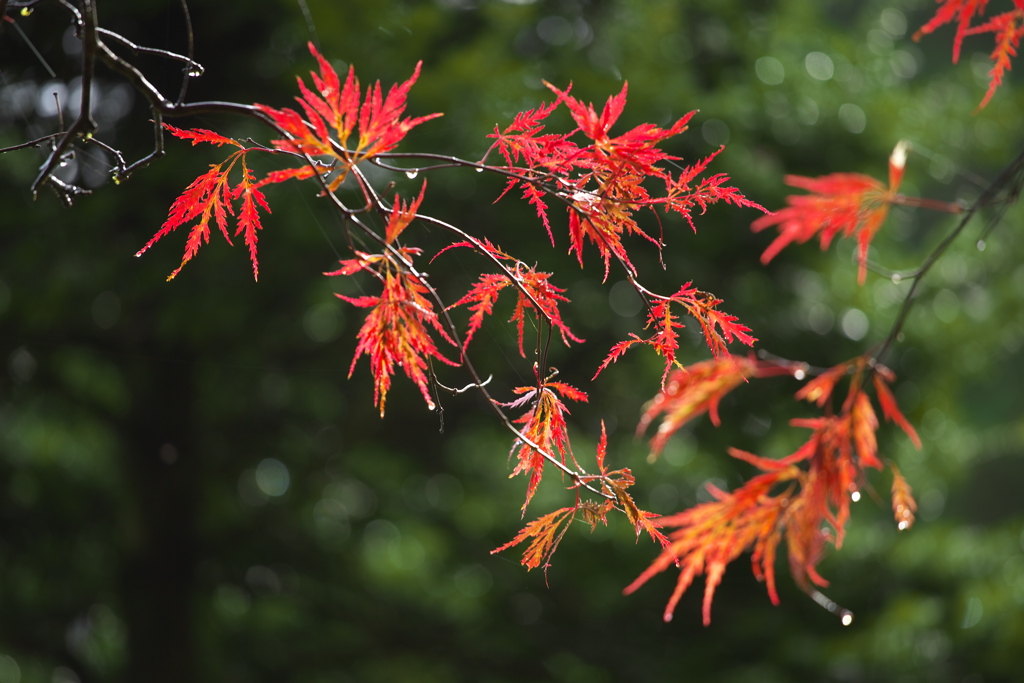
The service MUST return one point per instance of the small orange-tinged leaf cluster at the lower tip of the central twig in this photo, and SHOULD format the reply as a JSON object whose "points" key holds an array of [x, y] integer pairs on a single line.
{"points": [[547, 531]]}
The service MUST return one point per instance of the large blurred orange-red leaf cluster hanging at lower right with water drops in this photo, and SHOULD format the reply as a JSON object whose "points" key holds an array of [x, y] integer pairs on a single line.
{"points": [[804, 498]]}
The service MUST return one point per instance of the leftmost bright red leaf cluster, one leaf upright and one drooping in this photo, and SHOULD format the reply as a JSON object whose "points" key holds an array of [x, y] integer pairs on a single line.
{"points": [[334, 110]]}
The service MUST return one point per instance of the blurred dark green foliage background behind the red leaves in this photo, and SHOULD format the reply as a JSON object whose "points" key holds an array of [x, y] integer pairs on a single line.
{"points": [[191, 490]]}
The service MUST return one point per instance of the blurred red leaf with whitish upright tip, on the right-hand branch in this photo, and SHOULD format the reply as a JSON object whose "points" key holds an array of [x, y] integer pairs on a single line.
{"points": [[847, 203]]}
